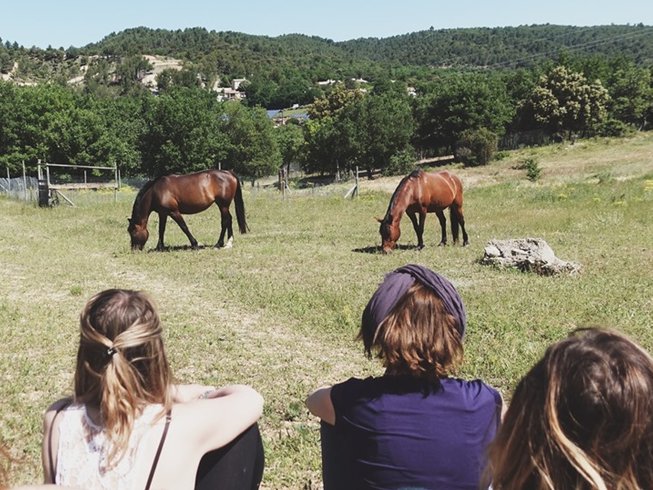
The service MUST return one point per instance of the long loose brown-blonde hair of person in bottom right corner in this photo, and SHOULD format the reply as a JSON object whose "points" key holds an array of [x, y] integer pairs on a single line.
{"points": [[580, 419]]}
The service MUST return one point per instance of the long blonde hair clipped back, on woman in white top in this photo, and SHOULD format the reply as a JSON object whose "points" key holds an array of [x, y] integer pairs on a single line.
{"points": [[121, 362]]}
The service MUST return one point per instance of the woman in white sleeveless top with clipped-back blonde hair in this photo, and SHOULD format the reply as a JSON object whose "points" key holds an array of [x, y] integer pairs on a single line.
{"points": [[128, 426]]}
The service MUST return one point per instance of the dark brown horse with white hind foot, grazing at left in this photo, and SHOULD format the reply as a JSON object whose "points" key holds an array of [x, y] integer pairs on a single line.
{"points": [[172, 195]]}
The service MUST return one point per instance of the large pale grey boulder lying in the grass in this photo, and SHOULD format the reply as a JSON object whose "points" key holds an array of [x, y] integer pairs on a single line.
{"points": [[527, 254]]}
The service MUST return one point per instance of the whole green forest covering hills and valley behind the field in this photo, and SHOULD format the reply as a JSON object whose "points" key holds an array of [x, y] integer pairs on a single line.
{"points": [[376, 104]]}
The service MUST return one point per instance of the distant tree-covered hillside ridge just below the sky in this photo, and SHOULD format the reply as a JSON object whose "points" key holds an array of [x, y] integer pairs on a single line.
{"points": [[229, 55]]}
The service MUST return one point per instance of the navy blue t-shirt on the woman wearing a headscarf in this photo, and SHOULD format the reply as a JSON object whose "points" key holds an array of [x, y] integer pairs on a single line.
{"points": [[405, 434]]}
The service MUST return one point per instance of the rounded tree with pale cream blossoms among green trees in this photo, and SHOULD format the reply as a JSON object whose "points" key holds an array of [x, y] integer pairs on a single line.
{"points": [[564, 101]]}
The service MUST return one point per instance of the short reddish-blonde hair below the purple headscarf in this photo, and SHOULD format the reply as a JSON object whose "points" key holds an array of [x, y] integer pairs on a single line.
{"points": [[418, 337]]}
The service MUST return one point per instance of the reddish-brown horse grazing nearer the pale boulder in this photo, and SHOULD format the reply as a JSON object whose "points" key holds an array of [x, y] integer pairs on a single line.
{"points": [[420, 193]]}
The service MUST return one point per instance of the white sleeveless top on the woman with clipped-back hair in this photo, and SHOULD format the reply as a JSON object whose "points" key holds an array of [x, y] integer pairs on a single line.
{"points": [[83, 449]]}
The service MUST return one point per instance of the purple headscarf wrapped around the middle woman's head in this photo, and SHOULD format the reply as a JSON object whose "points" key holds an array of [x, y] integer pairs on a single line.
{"points": [[395, 285]]}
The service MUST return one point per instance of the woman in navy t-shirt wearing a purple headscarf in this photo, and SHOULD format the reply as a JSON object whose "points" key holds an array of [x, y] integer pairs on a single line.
{"points": [[417, 426]]}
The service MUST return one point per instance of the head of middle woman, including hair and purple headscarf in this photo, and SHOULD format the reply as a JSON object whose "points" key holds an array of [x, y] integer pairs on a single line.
{"points": [[415, 323]]}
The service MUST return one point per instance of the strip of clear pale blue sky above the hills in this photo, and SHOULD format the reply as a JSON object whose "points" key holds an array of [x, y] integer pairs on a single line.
{"points": [[64, 23]]}
